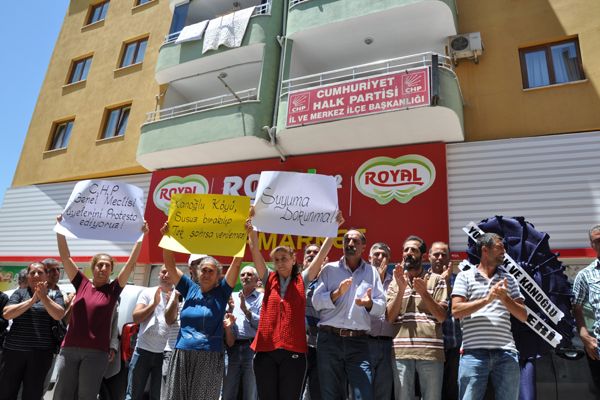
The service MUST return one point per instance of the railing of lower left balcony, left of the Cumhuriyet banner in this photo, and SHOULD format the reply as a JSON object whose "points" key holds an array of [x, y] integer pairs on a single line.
{"points": [[202, 105]]}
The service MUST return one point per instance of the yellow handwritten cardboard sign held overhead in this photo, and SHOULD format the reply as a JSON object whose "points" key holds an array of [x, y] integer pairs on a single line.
{"points": [[207, 224]]}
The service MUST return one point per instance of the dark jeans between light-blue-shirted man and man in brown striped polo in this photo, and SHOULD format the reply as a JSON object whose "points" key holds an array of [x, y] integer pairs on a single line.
{"points": [[380, 351]]}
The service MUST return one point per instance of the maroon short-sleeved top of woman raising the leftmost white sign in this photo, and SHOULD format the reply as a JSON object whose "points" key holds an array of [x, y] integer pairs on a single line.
{"points": [[91, 319]]}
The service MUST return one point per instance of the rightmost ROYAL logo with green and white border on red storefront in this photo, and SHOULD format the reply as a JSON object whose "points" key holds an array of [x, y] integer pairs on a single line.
{"points": [[385, 179]]}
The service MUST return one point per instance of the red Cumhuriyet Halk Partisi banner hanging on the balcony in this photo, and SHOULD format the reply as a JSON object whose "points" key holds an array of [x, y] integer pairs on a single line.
{"points": [[371, 95]]}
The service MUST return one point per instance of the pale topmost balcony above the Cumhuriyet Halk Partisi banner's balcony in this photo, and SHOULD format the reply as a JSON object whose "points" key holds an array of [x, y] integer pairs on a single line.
{"points": [[404, 23]]}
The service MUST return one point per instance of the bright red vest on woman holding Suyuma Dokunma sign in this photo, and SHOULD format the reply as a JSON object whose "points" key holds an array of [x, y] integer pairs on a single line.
{"points": [[281, 324]]}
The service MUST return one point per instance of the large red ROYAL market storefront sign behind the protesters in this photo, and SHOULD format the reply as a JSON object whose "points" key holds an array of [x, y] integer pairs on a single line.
{"points": [[388, 193]]}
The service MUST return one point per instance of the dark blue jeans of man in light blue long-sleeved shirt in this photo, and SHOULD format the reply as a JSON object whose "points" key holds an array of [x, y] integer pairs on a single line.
{"points": [[343, 360]]}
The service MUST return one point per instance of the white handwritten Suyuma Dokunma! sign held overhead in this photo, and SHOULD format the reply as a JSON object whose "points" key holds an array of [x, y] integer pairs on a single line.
{"points": [[296, 204]]}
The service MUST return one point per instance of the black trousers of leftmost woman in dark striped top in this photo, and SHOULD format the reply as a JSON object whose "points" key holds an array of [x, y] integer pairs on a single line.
{"points": [[26, 367]]}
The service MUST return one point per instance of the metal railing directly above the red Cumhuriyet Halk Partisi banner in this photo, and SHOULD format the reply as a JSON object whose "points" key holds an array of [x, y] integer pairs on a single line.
{"points": [[392, 65]]}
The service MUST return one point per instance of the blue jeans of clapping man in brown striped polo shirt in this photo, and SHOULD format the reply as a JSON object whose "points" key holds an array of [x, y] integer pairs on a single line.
{"points": [[431, 376]]}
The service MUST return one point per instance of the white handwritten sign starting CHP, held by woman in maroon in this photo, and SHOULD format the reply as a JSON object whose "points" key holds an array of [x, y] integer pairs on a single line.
{"points": [[103, 210]]}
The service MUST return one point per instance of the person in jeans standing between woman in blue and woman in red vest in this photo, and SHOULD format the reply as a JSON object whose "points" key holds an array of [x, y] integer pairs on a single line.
{"points": [[246, 311]]}
